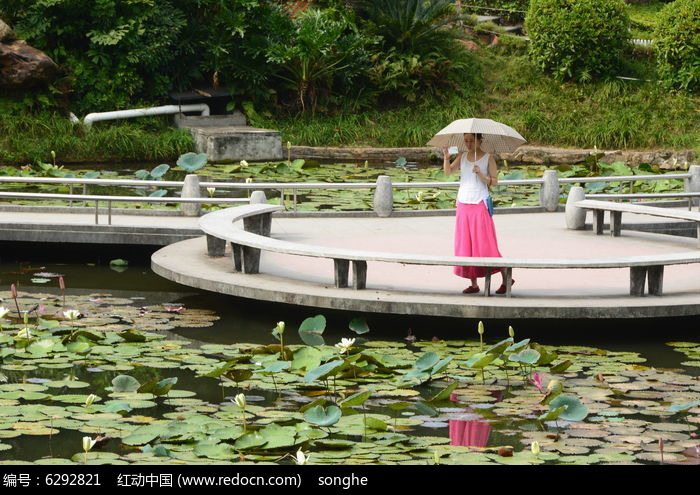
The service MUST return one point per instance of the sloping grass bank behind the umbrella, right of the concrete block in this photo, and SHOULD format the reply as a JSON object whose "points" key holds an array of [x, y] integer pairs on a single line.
{"points": [[610, 115]]}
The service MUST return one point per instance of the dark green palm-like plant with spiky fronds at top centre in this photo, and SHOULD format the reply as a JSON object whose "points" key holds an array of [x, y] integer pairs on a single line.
{"points": [[411, 26]]}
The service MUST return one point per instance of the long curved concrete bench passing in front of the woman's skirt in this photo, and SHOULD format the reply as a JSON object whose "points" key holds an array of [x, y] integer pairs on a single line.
{"points": [[247, 243]]}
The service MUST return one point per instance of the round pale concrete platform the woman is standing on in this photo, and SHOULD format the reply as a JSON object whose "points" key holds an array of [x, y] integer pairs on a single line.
{"points": [[435, 291]]}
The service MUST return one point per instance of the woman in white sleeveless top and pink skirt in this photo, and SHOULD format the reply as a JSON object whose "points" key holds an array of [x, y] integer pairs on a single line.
{"points": [[475, 233]]}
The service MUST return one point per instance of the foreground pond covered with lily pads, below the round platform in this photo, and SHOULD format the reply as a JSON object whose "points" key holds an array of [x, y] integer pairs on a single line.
{"points": [[144, 332]]}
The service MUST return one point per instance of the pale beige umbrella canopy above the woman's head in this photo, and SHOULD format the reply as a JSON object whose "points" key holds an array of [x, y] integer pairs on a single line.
{"points": [[497, 137]]}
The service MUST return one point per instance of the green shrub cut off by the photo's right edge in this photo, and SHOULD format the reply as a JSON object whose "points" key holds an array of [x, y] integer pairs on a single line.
{"points": [[677, 42]]}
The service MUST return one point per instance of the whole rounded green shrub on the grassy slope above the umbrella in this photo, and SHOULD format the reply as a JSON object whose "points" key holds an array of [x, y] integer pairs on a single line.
{"points": [[577, 39]]}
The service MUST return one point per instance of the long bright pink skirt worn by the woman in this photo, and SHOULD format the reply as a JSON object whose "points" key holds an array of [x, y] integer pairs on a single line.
{"points": [[475, 236]]}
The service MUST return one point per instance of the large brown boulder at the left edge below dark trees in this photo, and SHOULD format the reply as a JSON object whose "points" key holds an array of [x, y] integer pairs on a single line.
{"points": [[22, 66]]}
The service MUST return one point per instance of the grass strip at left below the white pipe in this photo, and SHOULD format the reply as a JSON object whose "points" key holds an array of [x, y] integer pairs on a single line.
{"points": [[28, 138]]}
